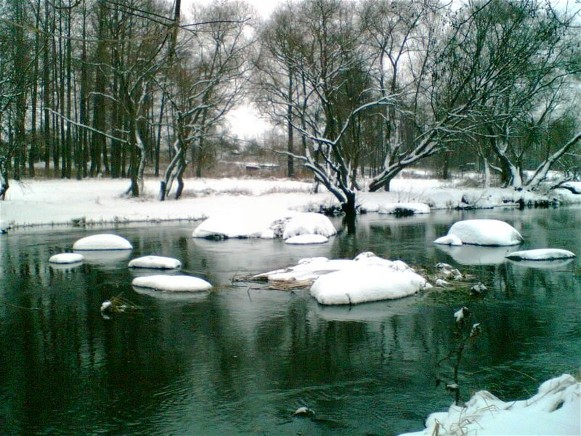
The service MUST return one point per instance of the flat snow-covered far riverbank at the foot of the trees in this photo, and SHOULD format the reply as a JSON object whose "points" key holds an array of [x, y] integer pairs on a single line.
{"points": [[101, 201]]}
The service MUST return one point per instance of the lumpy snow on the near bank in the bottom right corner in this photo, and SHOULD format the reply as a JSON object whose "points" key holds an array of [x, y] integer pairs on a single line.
{"points": [[554, 410]]}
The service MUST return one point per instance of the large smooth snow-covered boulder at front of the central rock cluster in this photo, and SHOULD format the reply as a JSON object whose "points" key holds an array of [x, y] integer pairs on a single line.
{"points": [[365, 283]]}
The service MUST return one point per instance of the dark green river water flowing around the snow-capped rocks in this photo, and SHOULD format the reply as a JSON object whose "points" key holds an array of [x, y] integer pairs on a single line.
{"points": [[242, 359]]}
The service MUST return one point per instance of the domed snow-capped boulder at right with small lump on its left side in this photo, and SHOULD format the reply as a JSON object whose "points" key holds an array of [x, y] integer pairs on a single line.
{"points": [[481, 232]]}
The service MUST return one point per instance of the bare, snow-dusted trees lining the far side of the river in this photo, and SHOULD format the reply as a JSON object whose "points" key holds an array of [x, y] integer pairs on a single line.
{"points": [[361, 88]]}
